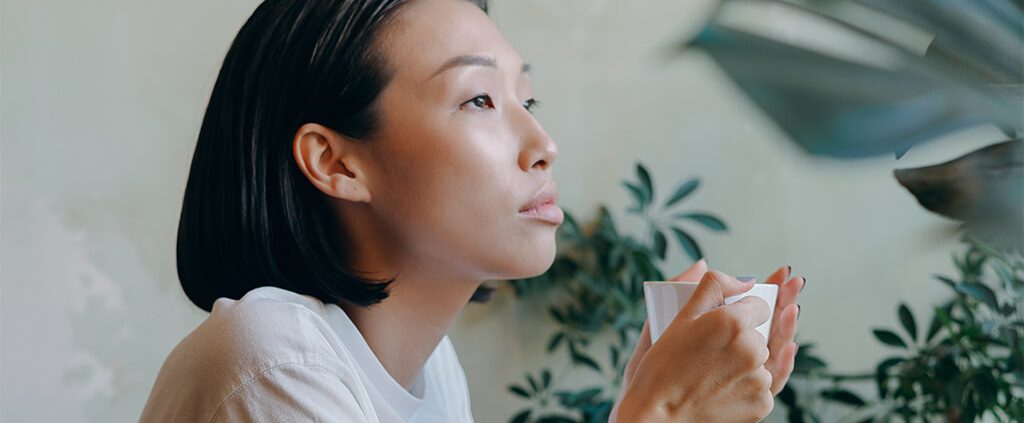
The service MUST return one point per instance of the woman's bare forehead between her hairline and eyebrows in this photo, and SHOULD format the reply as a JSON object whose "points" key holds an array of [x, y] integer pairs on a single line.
{"points": [[425, 34]]}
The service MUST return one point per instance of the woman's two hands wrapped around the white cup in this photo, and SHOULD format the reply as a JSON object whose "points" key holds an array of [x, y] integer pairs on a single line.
{"points": [[712, 367]]}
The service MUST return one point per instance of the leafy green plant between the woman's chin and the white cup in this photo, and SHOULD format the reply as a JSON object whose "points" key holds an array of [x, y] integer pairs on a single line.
{"points": [[595, 288]]}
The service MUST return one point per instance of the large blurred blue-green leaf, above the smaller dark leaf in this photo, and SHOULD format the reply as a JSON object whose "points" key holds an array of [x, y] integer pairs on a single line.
{"points": [[843, 109]]}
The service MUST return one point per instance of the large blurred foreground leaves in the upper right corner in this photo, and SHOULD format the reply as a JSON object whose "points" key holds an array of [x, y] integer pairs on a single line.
{"points": [[845, 79]]}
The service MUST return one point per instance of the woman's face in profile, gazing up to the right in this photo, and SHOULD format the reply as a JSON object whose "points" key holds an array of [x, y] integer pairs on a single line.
{"points": [[459, 154]]}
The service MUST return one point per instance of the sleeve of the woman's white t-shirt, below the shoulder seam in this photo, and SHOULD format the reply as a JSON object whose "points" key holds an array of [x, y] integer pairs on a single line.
{"points": [[293, 393]]}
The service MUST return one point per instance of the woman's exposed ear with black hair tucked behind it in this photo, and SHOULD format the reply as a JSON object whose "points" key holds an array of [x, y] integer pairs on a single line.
{"points": [[331, 162]]}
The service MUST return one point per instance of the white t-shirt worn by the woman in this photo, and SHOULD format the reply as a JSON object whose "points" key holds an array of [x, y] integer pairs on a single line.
{"points": [[276, 356]]}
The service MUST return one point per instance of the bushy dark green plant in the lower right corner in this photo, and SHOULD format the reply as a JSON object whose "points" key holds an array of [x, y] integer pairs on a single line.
{"points": [[967, 365]]}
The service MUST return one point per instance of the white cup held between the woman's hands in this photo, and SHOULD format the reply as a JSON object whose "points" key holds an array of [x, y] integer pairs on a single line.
{"points": [[665, 300]]}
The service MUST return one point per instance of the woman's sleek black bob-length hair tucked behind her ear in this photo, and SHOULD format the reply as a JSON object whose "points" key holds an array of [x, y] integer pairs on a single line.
{"points": [[250, 219]]}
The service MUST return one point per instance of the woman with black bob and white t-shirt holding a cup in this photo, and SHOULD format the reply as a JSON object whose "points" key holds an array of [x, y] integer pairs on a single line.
{"points": [[363, 166]]}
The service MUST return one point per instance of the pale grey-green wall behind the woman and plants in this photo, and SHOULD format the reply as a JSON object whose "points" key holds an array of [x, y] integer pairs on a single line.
{"points": [[102, 104]]}
